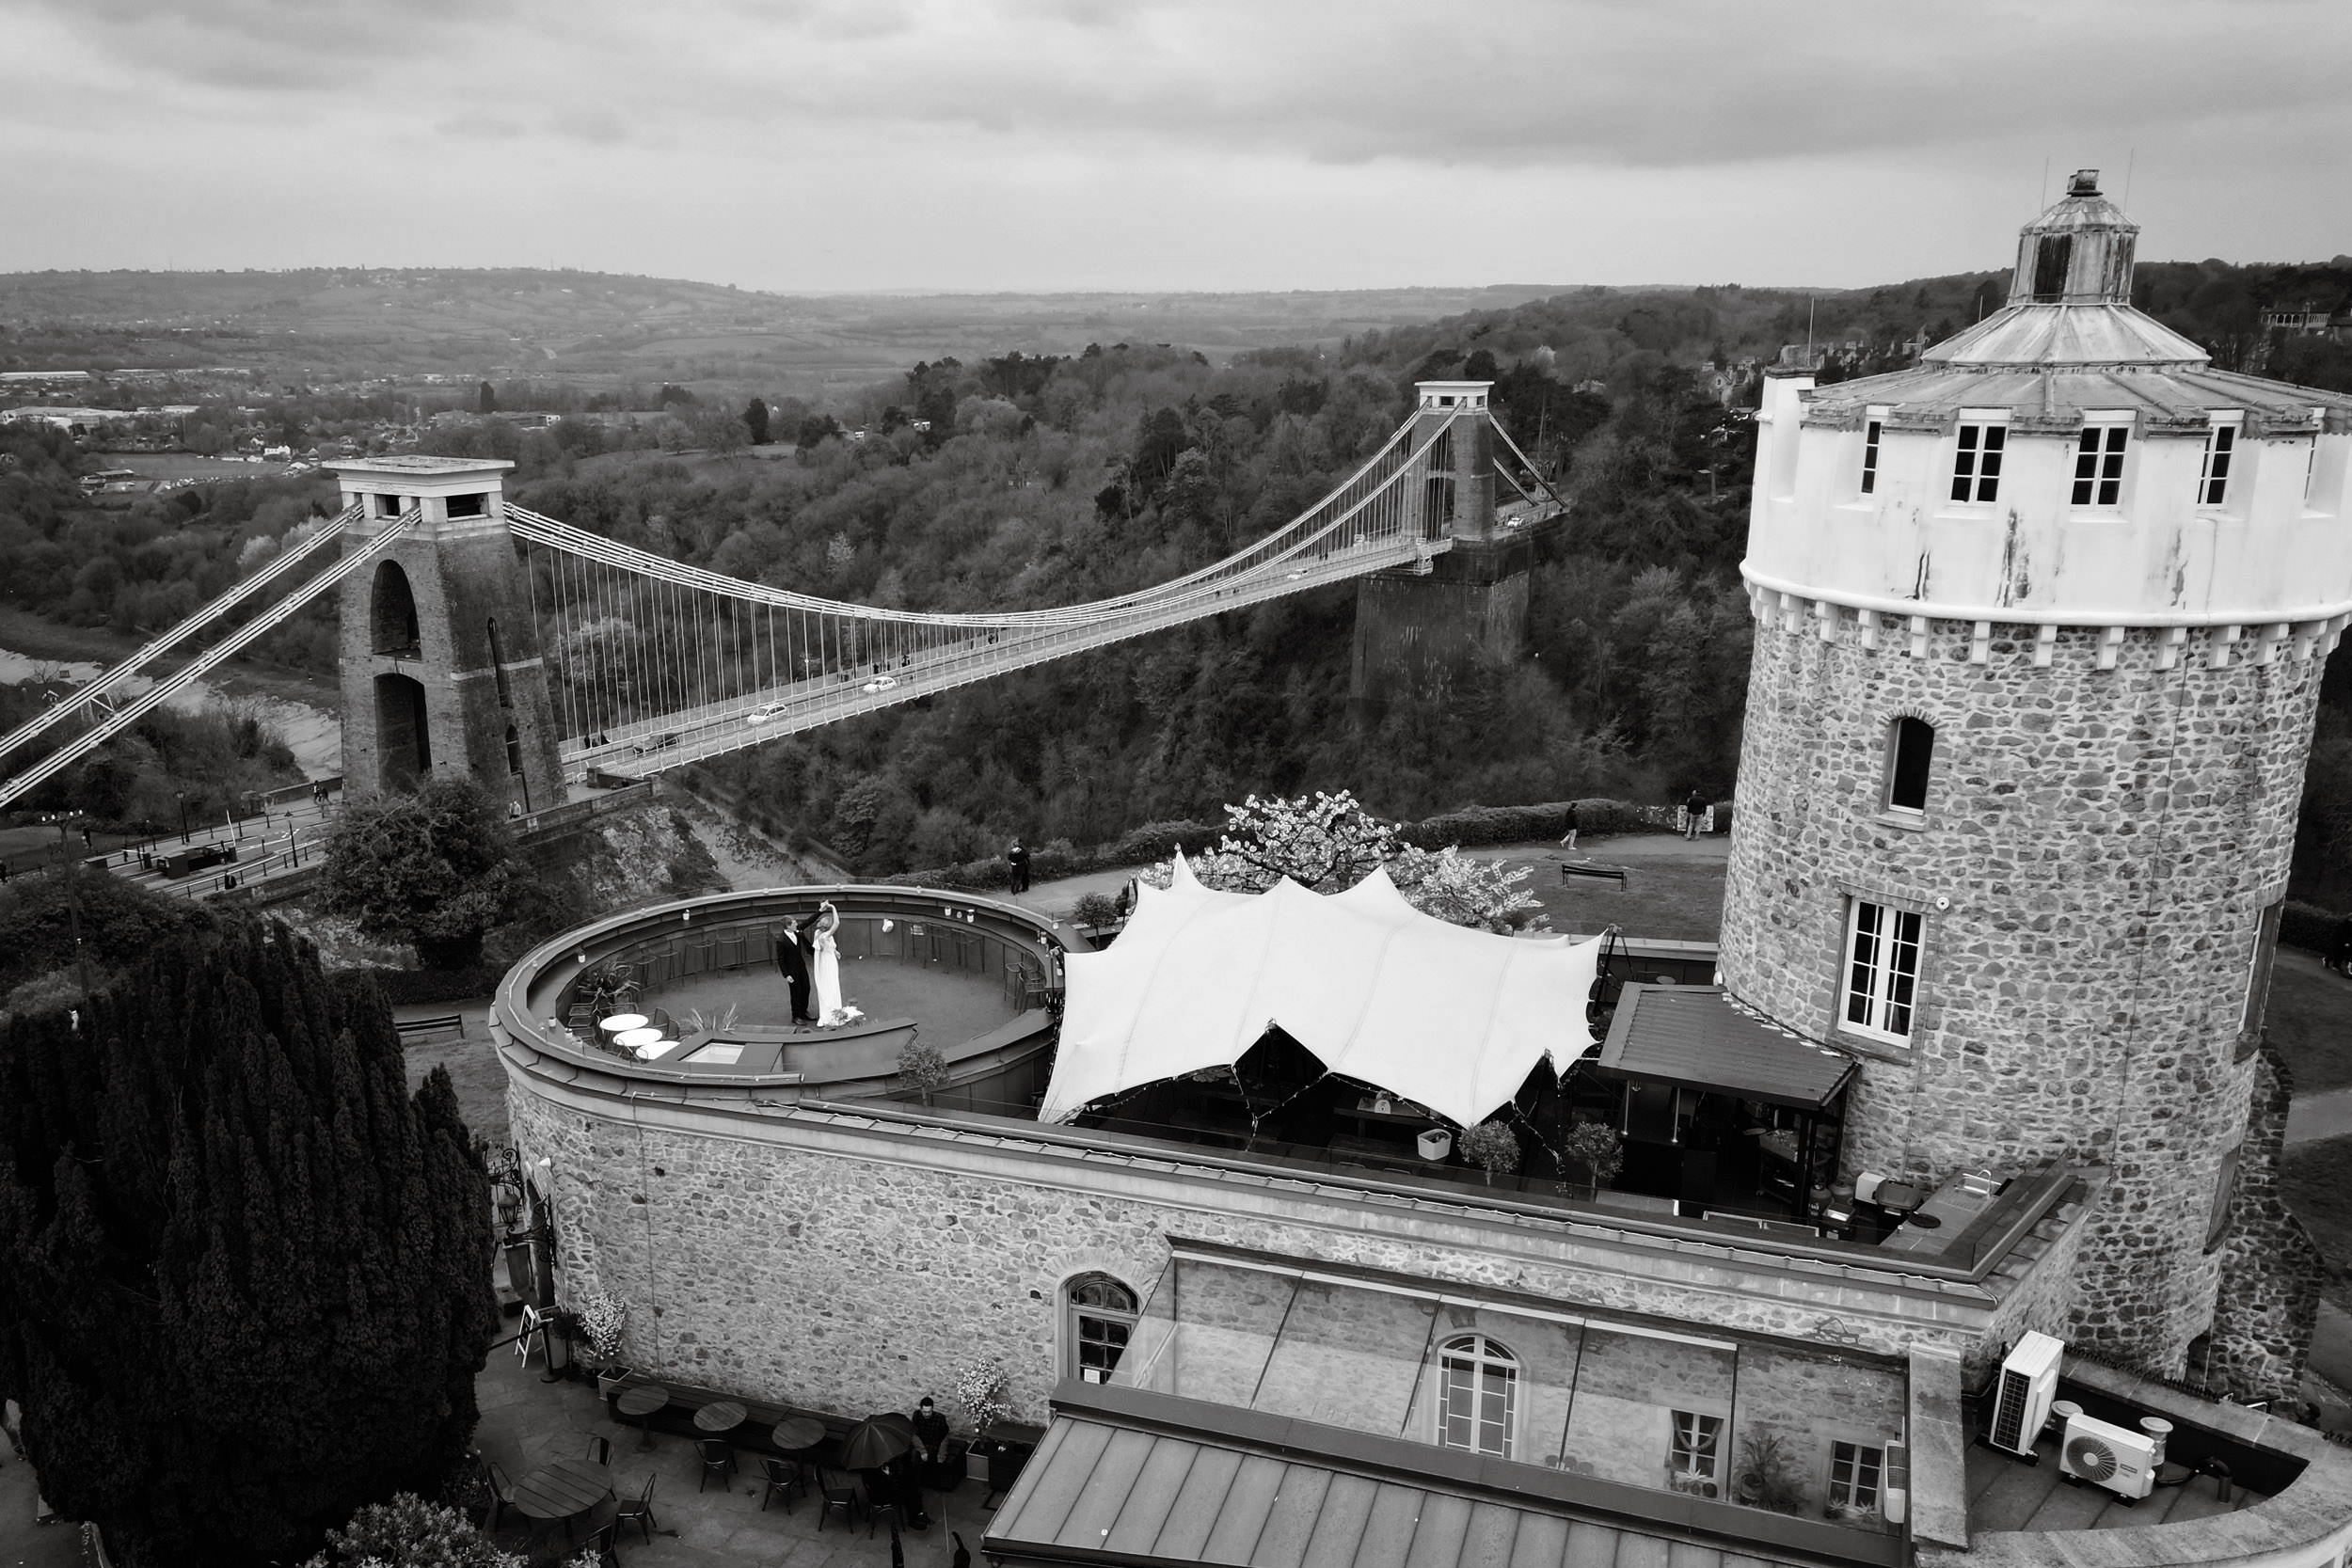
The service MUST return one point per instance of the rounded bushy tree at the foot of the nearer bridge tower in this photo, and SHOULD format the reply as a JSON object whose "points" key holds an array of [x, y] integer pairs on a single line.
{"points": [[432, 869]]}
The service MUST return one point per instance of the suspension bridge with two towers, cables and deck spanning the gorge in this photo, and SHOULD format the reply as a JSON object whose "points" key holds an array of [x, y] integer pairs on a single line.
{"points": [[554, 662]]}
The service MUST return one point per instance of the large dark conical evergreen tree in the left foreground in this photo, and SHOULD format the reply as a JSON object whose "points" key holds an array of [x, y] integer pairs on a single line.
{"points": [[241, 1266]]}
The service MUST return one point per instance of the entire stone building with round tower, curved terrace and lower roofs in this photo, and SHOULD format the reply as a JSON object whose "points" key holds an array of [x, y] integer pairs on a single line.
{"points": [[2014, 822]]}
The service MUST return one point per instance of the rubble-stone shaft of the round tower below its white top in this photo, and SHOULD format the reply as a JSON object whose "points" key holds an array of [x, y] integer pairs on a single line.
{"points": [[2092, 869]]}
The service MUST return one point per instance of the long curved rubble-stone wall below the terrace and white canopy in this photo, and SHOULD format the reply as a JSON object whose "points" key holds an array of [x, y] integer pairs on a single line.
{"points": [[848, 1266]]}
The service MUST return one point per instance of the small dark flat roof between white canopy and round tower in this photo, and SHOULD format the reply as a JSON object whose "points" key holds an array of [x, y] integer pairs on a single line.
{"points": [[1692, 1036]]}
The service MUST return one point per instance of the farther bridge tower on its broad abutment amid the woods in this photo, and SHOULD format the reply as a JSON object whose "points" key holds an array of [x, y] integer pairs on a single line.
{"points": [[1419, 631]]}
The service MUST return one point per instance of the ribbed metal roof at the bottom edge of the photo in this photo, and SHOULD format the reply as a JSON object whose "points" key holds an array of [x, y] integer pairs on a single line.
{"points": [[1109, 1494]]}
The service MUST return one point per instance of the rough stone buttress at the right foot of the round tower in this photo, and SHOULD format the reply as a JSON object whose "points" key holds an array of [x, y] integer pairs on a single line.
{"points": [[2269, 1266]]}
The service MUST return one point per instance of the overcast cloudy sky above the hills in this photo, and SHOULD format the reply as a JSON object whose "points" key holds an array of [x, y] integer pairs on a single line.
{"points": [[1203, 145]]}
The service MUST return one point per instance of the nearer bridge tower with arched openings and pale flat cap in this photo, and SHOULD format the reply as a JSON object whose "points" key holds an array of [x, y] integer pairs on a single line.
{"points": [[441, 650]]}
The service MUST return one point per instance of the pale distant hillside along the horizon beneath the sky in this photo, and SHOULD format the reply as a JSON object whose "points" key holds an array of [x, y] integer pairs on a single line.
{"points": [[601, 328]]}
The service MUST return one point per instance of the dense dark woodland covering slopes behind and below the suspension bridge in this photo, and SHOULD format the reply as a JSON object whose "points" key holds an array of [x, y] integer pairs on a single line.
{"points": [[1029, 481]]}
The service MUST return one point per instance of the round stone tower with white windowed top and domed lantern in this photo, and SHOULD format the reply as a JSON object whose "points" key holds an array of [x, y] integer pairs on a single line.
{"points": [[2040, 643]]}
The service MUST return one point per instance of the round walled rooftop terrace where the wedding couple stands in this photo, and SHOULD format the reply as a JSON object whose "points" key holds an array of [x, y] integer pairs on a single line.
{"points": [[973, 979]]}
